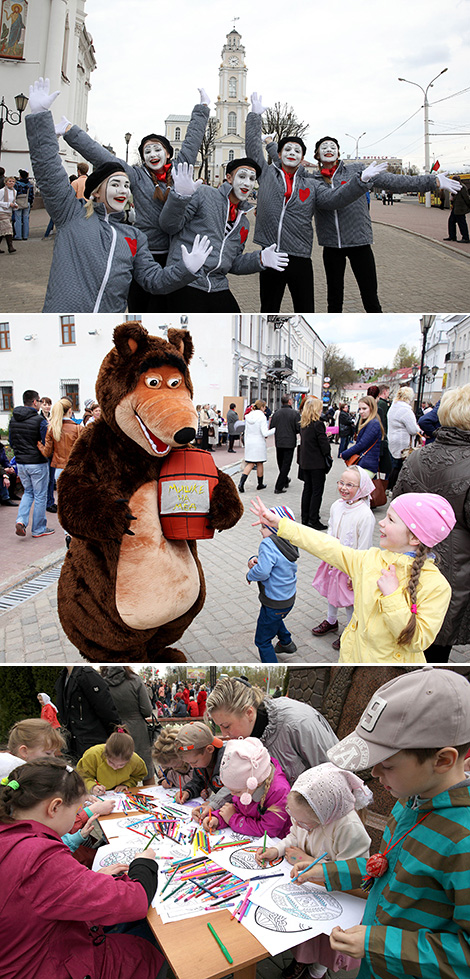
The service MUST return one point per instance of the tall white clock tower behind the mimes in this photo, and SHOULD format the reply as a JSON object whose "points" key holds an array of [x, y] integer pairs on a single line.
{"points": [[231, 107]]}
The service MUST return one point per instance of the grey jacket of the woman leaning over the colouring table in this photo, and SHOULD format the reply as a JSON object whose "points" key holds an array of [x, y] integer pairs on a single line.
{"points": [[297, 735]]}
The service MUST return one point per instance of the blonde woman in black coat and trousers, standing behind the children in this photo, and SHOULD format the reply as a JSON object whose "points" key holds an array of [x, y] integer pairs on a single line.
{"points": [[313, 456]]}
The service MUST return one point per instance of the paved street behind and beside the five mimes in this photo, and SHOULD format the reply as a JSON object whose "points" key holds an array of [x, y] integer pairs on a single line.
{"points": [[417, 270]]}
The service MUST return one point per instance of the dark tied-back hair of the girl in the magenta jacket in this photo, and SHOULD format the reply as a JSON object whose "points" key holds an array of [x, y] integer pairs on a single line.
{"points": [[36, 781]]}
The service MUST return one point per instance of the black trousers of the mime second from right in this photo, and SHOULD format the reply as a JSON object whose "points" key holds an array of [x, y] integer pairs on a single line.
{"points": [[298, 277]]}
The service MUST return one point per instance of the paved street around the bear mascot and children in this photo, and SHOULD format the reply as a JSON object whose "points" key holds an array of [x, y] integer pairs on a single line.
{"points": [[223, 631]]}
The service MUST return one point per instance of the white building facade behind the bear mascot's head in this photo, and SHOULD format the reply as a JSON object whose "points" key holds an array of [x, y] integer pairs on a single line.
{"points": [[239, 356]]}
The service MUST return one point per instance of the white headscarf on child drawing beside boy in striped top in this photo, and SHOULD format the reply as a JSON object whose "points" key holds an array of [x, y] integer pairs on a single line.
{"points": [[332, 792]]}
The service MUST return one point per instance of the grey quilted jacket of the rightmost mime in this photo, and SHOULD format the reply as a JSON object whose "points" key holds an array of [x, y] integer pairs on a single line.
{"points": [[352, 226]]}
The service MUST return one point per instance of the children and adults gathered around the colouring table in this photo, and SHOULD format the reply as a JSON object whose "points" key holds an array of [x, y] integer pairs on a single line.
{"points": [[276, 767]]}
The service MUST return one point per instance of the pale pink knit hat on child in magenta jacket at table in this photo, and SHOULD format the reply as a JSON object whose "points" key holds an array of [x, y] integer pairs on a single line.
{"points": [[245, 765]]}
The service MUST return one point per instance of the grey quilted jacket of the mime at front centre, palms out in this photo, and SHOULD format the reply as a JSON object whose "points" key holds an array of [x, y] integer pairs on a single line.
{"points": [[206, 213]]}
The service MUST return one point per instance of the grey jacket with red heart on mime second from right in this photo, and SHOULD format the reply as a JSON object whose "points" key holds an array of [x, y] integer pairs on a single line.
{"points": [[289, 223]]}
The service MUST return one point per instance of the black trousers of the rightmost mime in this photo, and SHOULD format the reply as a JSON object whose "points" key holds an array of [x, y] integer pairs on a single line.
{"points": [[363, 267]]}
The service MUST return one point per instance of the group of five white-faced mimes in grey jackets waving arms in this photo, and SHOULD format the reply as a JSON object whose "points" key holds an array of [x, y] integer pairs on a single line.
{"points": [[186, 236]]}
